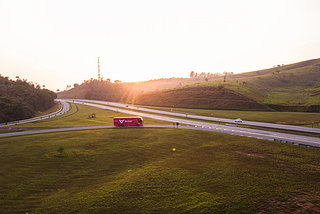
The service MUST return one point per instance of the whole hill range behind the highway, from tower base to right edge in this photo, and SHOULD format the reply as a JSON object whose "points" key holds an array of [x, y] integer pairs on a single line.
{"points": [[294, 87]]}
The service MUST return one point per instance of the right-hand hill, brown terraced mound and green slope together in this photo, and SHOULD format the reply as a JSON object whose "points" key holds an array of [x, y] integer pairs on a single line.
{"points": [[294, 87]]}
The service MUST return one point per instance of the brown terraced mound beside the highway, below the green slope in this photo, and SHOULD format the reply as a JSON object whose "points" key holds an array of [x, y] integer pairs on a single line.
{"points": [[200, 97]]}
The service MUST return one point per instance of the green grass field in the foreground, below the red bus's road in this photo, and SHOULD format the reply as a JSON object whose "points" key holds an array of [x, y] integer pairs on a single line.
{"points": [[136, 171]]}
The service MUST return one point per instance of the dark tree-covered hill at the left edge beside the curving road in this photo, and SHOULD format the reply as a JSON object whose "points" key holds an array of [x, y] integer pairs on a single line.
{"points": [[21, 99]]}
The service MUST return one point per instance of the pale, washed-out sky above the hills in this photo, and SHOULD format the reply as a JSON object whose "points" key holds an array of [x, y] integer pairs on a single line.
{"points": [[57, 43]]}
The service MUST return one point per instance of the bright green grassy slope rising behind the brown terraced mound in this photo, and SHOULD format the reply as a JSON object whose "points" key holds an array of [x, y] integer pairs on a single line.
{"points": [[295, 86]]}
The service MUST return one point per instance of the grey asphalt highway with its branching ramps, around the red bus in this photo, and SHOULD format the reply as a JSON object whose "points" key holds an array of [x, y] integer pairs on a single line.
{"points": [[187, 124]]}
